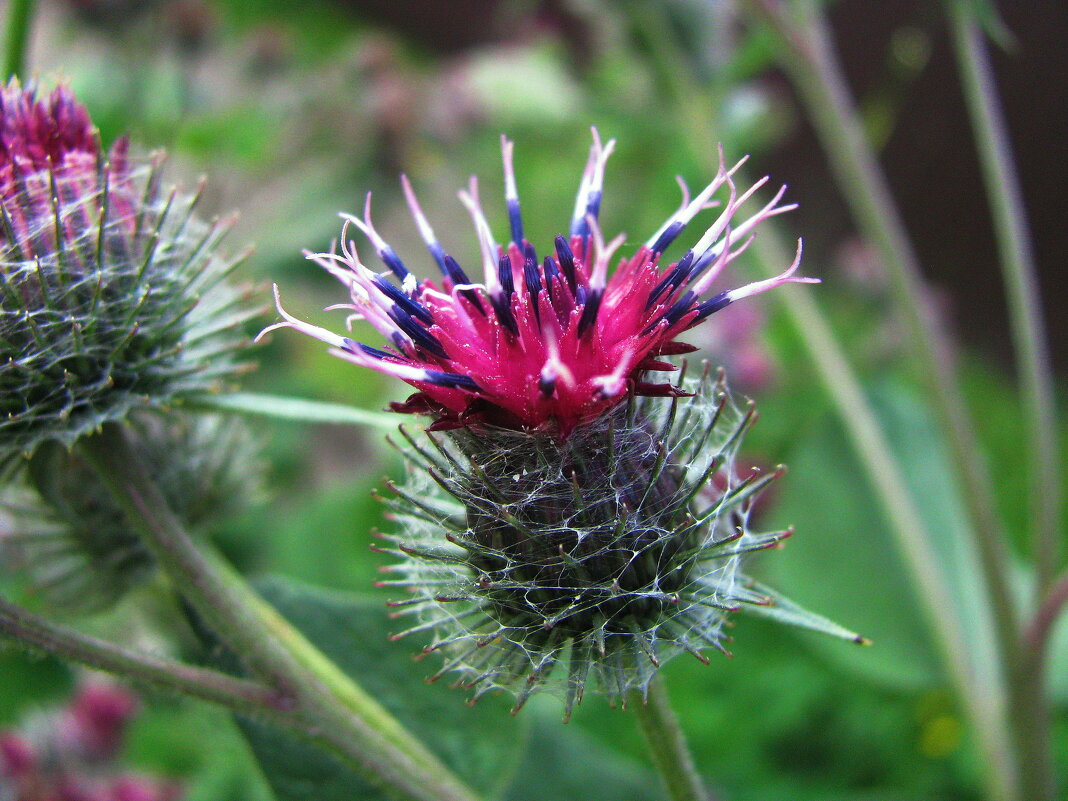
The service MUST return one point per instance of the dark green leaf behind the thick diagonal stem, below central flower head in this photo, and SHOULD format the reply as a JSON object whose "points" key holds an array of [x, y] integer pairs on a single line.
{"points": [[481, 744]]}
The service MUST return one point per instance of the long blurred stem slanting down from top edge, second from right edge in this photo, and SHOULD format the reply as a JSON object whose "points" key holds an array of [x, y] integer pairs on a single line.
{"points": [[809, 57]]}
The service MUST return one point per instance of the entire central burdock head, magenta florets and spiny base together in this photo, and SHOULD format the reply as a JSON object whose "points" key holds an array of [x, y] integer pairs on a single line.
{"points": [[568, 523]]}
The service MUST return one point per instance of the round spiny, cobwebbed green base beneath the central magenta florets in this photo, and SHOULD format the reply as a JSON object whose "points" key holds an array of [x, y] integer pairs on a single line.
{"points": [[603, 554]]}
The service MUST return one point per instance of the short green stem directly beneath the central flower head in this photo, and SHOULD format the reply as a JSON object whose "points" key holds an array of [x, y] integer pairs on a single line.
{"points": [[667, 743]]}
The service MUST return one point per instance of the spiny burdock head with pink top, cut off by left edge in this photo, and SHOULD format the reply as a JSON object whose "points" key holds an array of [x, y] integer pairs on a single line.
{"points": [[112, 294]]}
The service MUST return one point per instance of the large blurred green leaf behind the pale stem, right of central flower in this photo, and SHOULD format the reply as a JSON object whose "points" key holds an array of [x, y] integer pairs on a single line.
{"points": [[844, 561]]}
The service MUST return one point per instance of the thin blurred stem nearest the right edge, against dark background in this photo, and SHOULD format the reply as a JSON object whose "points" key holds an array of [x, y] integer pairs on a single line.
{"points": [[1022, 285]]}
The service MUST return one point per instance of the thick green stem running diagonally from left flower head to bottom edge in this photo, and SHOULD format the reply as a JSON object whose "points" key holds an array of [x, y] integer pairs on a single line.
{"points": [[355, 728]]}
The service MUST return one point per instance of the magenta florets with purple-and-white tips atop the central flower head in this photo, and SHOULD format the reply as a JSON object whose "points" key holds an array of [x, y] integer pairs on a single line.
{"points": [[542, 344]]}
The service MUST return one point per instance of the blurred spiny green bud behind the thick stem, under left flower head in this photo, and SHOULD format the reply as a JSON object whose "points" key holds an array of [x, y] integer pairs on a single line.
{"points": [[74, 543]]}
